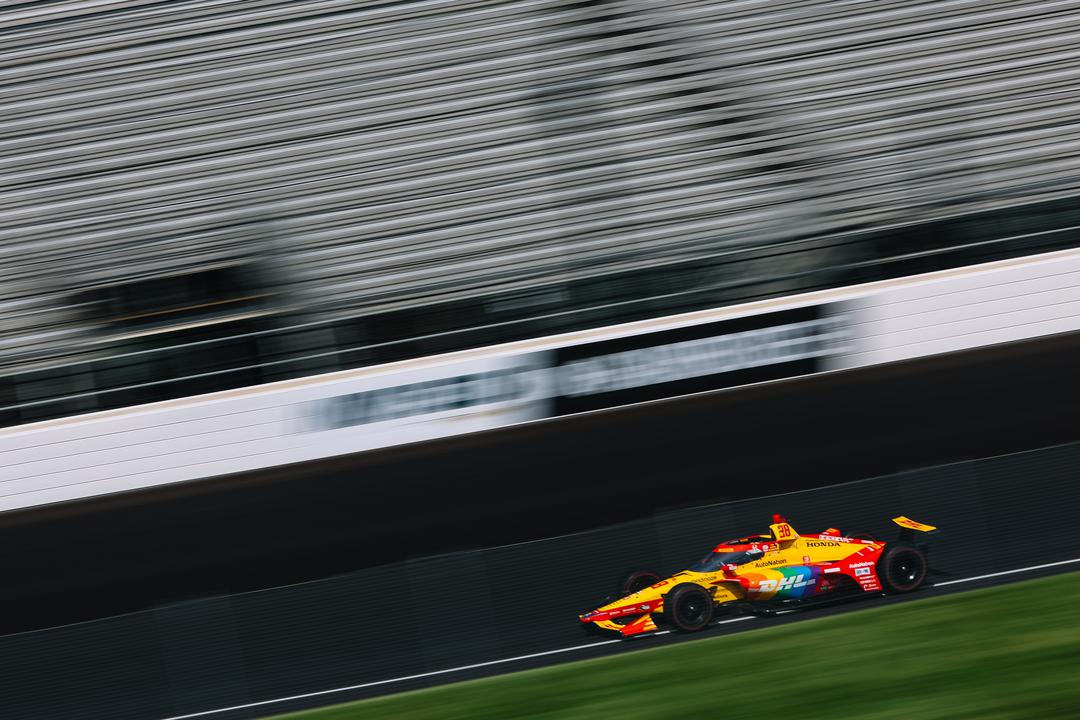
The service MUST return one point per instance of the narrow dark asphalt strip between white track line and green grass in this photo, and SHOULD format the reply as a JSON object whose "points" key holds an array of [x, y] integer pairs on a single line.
{"points": [[603, 648]]}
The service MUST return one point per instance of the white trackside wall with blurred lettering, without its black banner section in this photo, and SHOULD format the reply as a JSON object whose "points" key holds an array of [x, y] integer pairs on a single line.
{"points": [[350, 412]]}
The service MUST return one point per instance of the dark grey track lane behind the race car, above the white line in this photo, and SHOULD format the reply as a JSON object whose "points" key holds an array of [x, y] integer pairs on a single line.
{"points": [[475, 607]]}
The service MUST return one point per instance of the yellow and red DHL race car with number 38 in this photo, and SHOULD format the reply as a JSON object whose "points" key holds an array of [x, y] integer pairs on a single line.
{"points": [[767, 573]]}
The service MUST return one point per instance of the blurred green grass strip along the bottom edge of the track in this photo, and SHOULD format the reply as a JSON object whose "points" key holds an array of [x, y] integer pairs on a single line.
{"points": [[1004, 653]]}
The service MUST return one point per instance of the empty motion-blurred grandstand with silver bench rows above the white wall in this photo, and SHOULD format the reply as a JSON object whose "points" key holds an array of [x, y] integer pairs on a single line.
{"points": [[204, 195]]}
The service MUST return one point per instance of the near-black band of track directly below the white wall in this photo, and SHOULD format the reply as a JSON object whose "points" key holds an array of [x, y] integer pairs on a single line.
{"points": [[301, 523]]}
